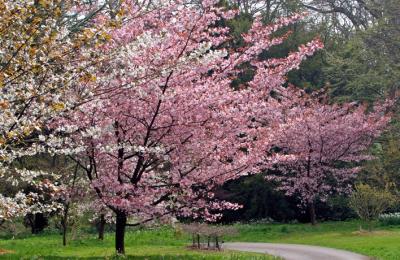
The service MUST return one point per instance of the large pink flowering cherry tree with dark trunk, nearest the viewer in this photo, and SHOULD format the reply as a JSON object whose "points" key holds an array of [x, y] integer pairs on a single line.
{"points": [[165, 127]]}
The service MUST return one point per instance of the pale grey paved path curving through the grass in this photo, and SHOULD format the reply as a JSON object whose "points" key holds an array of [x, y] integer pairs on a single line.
{"points": [[295, 252]]}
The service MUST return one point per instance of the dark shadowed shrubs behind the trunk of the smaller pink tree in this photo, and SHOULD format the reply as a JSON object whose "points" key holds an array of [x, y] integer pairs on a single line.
{"points": [[261, 201]]}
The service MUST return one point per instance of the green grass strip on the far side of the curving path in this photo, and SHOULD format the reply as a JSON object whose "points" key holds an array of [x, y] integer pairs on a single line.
{"points": [[381, 243]]}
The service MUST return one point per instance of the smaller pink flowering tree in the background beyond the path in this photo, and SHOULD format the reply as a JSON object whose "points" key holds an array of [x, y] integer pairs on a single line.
{"points": [[320, 145]]}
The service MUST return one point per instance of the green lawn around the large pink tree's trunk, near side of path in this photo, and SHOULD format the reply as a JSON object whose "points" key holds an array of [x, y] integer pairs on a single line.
{"points": [[161, 243]]}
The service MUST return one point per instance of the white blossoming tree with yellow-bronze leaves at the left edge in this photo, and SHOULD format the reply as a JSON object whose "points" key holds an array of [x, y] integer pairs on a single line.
{"points": [[47, 47]]}
